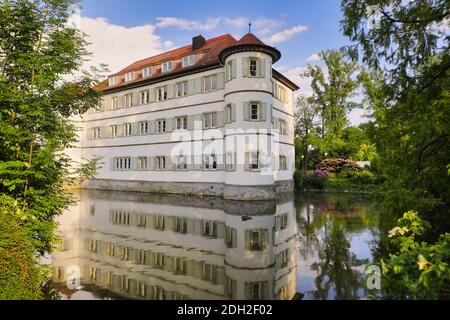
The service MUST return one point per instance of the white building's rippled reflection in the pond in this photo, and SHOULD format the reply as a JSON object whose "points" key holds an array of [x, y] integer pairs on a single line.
{"points": [[167, 247]]}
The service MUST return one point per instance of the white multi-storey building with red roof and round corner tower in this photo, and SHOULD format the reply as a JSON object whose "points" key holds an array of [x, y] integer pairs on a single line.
{"points": [[211, 118]]}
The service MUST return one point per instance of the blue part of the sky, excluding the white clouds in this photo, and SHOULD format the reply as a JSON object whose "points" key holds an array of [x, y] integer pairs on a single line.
{"points": [[320, 17]]}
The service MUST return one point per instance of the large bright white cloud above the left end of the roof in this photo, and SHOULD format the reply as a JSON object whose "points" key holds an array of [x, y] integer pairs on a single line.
{"points": [[119, 46]]}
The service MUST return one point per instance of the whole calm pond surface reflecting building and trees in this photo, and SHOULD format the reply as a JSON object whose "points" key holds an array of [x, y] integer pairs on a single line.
{"points": [[167, 247]]}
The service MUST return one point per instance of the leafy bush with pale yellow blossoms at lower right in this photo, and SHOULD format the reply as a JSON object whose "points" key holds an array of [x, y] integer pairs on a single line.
{"points": [[416, 269]]}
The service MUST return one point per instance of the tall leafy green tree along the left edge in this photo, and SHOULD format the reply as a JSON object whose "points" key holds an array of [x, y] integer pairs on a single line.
{"points": [[39, 51]]}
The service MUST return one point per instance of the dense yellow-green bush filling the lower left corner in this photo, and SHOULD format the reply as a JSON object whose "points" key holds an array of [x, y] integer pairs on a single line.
{"points": [[20, 278]]}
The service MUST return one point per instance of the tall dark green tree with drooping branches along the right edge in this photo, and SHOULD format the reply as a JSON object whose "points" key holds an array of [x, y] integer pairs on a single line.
{"points": [[408, 89]]}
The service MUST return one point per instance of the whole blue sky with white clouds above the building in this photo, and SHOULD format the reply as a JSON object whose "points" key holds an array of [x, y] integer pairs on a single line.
{"points": [[122, 32]]}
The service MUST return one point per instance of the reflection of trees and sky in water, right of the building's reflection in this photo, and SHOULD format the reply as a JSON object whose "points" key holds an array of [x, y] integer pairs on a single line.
{"points": [[326, 224]]}
